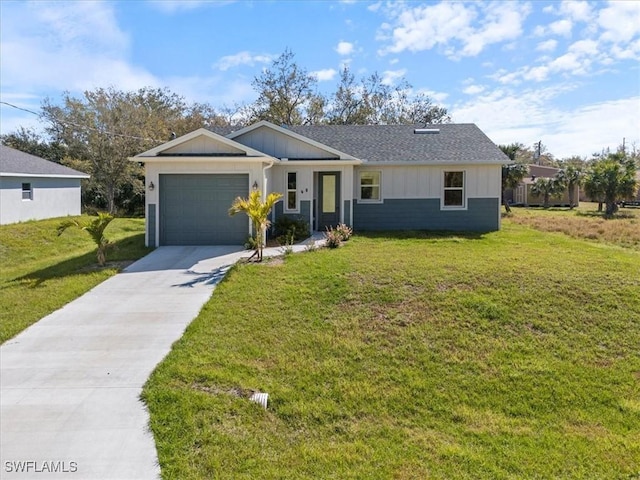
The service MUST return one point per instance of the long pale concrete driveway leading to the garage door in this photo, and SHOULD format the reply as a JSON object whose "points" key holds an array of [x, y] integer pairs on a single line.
{"points": [[70, 384]]}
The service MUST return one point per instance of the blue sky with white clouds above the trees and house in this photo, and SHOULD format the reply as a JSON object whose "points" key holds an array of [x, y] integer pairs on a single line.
{"points": [[566, 73]]}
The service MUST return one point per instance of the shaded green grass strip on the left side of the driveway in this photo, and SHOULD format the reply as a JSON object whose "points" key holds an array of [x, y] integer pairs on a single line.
{"points": [[41, 272]]}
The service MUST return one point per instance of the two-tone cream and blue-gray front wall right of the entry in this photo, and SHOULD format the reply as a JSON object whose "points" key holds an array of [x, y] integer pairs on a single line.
{"points": [[411, 199]]}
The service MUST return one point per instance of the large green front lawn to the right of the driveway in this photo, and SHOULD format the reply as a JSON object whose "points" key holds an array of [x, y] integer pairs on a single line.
{"points": [[507, 355]]}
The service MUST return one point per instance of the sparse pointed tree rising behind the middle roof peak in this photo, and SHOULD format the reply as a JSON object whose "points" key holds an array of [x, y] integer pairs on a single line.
{"points": [[286, 93]]}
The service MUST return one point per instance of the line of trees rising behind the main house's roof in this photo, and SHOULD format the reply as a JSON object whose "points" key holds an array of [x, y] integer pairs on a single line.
{"points": [[97, 132]]}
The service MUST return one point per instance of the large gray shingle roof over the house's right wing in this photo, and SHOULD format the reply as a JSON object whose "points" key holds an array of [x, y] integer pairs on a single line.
{"points": [[464, 143]]}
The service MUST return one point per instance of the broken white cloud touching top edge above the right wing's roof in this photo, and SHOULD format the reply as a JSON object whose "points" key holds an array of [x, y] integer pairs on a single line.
{"points": [[461, 29]]}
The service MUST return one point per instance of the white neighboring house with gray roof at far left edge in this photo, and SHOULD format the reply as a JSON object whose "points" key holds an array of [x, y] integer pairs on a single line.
{"points": [[32, 188]]}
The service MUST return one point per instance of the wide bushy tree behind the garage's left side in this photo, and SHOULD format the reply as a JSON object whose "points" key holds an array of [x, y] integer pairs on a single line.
{"points": [[105, 127]]}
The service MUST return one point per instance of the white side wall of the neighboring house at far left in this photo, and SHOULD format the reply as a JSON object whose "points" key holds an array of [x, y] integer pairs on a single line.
{"points": [[52, 197]]}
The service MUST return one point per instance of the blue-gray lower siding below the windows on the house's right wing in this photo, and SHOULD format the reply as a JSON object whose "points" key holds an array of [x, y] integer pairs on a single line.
{"points": [[481, 215]]}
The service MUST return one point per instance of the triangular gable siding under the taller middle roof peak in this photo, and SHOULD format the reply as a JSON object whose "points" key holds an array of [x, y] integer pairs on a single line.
{"points": [[279, 145]]}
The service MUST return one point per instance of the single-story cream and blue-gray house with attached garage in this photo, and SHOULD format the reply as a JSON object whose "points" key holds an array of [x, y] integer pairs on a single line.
{"points": [[382, 177]]}
